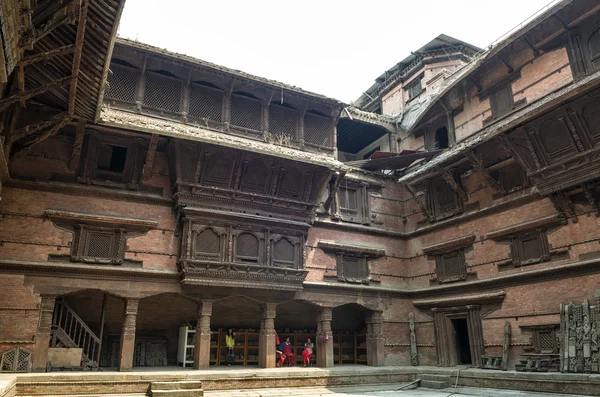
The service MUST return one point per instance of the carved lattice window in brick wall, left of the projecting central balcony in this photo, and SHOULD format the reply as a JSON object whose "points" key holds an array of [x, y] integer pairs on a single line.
{"points": [[98, 245]]}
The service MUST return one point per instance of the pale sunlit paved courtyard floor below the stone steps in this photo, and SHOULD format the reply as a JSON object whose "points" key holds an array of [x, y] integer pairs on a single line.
{"points": [[375, 391]]}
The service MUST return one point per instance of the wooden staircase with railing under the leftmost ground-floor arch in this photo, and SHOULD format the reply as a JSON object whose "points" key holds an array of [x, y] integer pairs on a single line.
{"points": [[70, 330]]}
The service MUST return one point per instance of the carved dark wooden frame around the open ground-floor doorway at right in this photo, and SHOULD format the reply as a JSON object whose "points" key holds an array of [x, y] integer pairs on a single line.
{"points": [[444, 335]]}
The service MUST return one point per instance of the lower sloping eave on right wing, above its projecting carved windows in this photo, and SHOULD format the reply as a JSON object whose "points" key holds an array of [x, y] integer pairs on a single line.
{"points": [[503, 125]]}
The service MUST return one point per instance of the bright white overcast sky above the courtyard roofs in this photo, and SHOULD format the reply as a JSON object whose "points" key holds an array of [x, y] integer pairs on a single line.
{"points": [[332, 47]]}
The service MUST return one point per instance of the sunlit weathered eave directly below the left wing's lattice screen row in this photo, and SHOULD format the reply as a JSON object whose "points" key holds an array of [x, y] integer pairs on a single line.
{"points": [[125, 120]]}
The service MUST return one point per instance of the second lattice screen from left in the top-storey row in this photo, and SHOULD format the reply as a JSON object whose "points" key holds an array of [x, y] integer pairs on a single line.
{"points": [[163, 92]]}
